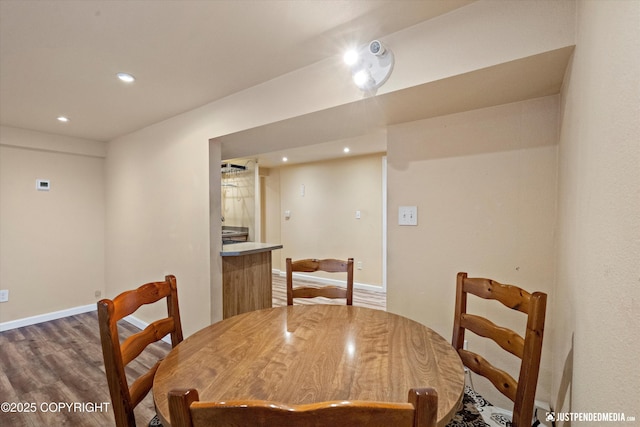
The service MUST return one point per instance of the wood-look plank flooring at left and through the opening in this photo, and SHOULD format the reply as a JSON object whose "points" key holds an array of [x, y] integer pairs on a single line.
{"points": [[61, 361]]}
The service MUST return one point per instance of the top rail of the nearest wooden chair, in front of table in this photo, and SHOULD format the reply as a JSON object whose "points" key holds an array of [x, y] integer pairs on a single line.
{"points": [[186, 410]]}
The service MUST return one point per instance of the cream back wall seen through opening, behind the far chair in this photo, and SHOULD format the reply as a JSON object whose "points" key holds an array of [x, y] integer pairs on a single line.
{"points": [[323, 221]]}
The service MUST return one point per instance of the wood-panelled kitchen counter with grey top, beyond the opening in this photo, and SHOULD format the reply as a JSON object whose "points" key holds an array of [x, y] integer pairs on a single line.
{"points": [[246, 277]]}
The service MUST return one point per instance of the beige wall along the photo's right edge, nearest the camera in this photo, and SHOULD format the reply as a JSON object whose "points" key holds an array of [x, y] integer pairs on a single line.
{"points": [[596, 306]]}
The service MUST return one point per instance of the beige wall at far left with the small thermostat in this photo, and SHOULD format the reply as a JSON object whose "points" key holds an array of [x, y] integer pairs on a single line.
{"points": [[51, 243]]}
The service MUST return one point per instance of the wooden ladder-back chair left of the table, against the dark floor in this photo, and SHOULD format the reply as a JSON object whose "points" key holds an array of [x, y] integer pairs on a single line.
{"points": [[117, 355]]}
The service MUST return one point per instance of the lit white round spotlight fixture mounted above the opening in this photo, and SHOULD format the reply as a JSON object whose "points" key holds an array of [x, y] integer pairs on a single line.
{"points": [[370, 65]]}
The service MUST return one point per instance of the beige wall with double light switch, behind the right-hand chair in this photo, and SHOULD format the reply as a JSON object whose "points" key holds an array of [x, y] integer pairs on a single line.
{"points": [[484, 183]]}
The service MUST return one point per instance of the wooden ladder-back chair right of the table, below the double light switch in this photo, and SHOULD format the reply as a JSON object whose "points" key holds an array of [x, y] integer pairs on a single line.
{"points": [[527, 348]]}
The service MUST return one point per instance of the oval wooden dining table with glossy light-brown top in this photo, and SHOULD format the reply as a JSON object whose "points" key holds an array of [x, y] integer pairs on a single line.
{"points": [[312, 353]]}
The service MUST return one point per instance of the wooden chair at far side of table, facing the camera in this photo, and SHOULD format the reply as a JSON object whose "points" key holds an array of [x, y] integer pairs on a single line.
{"points": [[313, 265]]}
